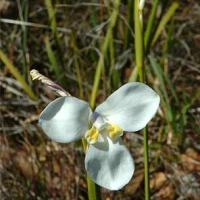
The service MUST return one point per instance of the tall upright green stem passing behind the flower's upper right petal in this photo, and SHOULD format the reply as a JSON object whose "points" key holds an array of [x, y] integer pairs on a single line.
{"points": [[139, 54]]}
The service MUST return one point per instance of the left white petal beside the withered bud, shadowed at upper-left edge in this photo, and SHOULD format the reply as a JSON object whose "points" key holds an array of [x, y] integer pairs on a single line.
{"points": [[65, 119]]}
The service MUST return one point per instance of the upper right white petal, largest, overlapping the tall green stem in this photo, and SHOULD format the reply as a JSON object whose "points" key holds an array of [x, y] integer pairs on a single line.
{"points": [[131, 106]]}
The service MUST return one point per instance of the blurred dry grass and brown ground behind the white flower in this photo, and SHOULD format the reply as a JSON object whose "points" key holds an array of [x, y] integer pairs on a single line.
{"points": [[66, 41]]}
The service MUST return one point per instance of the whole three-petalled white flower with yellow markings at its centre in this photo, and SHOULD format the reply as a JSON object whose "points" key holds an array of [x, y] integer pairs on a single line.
{"points": [[108, 162]]}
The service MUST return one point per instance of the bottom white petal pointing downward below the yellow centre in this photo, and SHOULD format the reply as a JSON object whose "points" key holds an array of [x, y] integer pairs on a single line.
{"points": [[109, 164]]}
